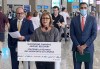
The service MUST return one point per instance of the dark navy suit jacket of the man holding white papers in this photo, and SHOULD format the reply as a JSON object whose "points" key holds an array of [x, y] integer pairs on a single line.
{"points": [[26, 30]]}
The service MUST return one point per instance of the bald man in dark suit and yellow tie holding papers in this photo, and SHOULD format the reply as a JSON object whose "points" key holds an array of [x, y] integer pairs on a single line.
{"points": [[25, 28]]}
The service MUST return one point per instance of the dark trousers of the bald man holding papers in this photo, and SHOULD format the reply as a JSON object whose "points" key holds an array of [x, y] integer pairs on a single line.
{"points": [[14, 62]]}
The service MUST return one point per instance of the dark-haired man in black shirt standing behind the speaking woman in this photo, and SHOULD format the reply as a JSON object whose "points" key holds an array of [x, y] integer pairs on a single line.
{"points": [[58, 20]]}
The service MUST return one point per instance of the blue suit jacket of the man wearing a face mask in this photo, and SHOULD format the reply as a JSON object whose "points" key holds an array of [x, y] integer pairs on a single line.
{"points": [[87, 36]]}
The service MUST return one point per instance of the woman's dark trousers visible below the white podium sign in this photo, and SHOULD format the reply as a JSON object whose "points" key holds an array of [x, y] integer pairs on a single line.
{"points": [[45, 65]]}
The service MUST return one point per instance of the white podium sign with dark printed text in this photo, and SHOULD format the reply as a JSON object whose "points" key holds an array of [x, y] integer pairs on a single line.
{"points": [[39, 51]]}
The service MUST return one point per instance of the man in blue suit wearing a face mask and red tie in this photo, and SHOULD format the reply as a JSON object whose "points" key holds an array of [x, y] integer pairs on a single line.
{"points": [[83, 32]]}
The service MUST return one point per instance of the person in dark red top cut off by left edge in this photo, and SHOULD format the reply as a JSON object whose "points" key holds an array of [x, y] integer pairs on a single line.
{"points": [[4, 23]]}
